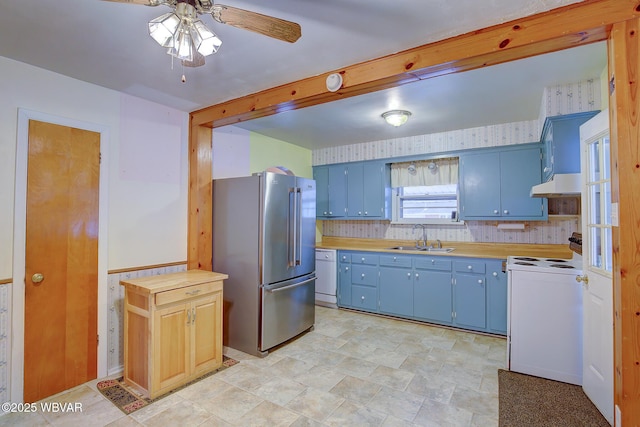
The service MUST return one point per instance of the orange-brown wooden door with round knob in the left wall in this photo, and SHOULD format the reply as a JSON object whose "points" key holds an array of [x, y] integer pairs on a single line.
{"points": [[61, 245]]}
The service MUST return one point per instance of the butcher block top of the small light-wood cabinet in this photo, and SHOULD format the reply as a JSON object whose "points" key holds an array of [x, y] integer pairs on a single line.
{"points": [[164, 282]]}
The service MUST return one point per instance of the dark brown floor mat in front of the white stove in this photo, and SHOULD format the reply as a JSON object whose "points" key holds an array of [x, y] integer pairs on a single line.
{"points": [[525, 400]]}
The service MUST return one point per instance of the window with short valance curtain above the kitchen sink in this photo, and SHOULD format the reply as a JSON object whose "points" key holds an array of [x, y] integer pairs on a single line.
{"points": [[425, 192]]}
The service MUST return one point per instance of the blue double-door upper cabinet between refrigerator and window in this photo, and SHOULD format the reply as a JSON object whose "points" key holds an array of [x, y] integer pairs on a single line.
{"points": [[359, 190]]}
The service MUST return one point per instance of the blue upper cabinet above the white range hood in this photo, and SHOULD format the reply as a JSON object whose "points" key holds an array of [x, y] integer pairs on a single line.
{"points": [[561, 143]]}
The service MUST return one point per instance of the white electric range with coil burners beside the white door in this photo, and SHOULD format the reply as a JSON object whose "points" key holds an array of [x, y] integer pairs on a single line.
{"points": [[544, 317]]}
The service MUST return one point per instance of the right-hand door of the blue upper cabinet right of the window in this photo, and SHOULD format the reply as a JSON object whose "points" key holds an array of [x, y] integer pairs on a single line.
{"points": [[519, 171]]}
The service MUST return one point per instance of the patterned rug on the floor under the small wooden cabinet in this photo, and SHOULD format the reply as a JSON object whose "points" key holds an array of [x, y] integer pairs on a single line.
{"points": [[128, 400]]}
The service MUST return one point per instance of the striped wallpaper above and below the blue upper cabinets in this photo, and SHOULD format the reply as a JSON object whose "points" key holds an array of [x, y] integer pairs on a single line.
{"points": [[556, 100]]}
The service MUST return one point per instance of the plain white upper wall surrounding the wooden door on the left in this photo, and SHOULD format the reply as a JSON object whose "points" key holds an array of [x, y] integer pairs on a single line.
{"points": [[148, 165]]}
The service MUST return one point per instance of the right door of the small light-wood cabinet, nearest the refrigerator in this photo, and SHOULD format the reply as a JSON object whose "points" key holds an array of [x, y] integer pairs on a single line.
{"points": [[206, 353]]}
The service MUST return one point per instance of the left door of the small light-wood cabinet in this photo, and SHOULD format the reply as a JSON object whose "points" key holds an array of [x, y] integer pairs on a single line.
{"points": [[171, 354]]}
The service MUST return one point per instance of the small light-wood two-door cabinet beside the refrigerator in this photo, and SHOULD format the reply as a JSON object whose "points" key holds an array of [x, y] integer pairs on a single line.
{"points": [[172, 329]]}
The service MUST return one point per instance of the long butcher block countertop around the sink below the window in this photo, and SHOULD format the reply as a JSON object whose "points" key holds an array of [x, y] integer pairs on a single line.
{"points": [[462, 249]]}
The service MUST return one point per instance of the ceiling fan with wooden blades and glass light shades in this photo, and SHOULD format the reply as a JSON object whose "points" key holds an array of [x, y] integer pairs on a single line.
{"points": [[188, 39]]}
